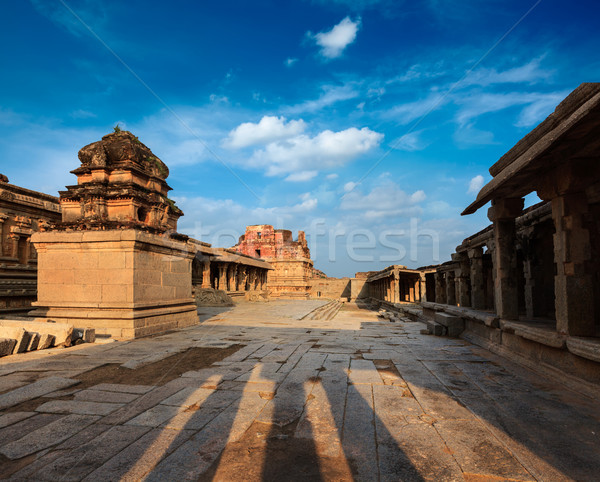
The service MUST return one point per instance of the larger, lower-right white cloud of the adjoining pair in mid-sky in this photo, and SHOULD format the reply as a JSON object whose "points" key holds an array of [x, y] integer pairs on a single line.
{"points": [[326, 150]]}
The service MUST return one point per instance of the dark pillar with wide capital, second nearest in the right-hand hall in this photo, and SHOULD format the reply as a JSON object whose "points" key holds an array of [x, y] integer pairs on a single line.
{"points": [[503, 213]]}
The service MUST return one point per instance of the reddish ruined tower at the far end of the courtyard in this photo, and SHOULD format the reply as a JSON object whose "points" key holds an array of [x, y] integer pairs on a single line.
{"points": [[292, 266]]}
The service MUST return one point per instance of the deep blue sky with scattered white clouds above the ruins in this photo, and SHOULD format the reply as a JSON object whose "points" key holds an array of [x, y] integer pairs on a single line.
{"points": [[370, 124]]}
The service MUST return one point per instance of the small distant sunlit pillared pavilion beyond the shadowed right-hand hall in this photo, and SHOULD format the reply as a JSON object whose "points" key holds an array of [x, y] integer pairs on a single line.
{"points": [[398, 284]]}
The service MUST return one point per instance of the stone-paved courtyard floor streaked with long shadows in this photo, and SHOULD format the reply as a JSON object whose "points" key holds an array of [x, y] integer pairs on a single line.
{"points": [[352, 398]]}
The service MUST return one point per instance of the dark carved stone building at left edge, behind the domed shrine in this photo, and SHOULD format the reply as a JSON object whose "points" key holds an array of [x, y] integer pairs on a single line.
{"points": [[22, 212]]}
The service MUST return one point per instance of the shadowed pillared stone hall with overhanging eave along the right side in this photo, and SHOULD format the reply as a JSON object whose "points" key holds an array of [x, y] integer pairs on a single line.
{"points": [[530, 282]]}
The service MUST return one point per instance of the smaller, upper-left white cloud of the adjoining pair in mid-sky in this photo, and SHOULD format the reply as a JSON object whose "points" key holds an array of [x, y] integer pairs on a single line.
{"points": [[268, 129]]}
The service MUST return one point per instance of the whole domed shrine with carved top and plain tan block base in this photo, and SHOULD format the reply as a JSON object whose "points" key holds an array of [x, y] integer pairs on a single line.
{"points": [[115, 262]]}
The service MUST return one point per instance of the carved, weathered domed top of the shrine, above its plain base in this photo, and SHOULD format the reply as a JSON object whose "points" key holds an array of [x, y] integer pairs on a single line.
{"points": [[120, 183]]}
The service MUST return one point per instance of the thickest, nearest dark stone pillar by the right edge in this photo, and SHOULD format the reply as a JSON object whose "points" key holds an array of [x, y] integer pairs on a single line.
{"points": [[573, 283]]}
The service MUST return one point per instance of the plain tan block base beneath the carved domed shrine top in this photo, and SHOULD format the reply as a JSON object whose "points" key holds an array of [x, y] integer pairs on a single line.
{"points": [[123, 283]]}
